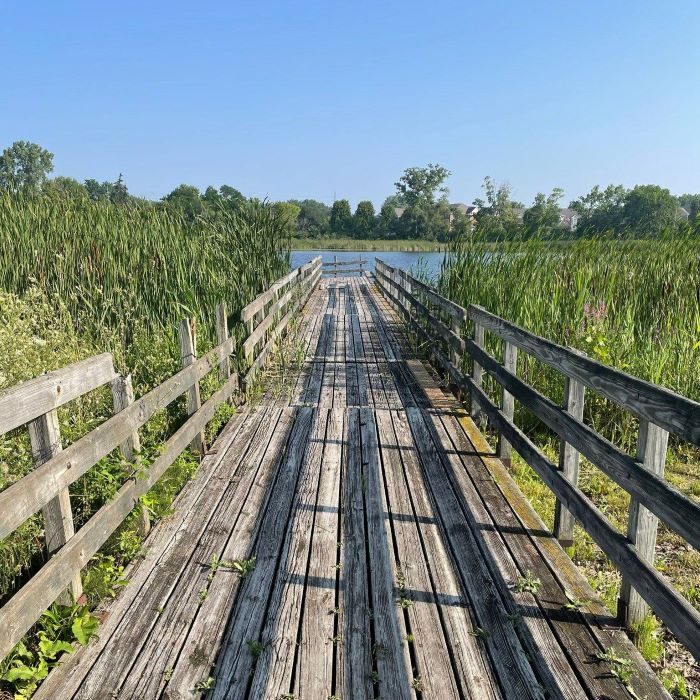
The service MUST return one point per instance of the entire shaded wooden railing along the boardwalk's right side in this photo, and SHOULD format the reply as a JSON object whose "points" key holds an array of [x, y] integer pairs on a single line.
{"points": [[441, 325]]}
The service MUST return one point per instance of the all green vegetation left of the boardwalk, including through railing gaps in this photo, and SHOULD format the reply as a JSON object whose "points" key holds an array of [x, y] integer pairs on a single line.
{"points": [[78, 278]]}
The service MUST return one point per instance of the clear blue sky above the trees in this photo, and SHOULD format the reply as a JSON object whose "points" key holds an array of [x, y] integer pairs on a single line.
{"points": [[324, 98]]}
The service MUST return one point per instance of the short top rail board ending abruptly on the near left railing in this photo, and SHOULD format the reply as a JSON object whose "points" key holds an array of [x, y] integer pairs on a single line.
{"points": [[24, 402]]}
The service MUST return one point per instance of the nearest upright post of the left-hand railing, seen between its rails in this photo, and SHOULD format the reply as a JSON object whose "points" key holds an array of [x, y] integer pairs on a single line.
{"points": [[45, 440]]}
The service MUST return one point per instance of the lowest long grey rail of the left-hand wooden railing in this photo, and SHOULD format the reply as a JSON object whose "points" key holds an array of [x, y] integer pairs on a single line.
{"points": [[24, 608]]}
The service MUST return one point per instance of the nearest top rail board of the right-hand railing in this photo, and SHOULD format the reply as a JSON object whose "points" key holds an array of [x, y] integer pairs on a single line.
{"points": [[660, 406]]}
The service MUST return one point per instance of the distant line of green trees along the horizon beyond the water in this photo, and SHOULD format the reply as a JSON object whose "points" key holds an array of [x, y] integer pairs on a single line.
{"points": [[418, 209]]}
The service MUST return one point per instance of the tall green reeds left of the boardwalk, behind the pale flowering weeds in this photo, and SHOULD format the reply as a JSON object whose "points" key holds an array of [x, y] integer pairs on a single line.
{"points": [[137, 266]]}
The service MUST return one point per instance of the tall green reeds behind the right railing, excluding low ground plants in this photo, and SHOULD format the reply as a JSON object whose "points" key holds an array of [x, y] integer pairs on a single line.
{"points": [[634, 305]]}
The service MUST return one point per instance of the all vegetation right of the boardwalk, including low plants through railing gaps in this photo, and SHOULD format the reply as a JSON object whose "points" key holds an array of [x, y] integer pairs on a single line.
{"points": [[634, 305]]}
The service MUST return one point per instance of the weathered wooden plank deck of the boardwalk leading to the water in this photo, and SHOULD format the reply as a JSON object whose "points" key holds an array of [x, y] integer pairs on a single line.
{"points": [[394, 556]]}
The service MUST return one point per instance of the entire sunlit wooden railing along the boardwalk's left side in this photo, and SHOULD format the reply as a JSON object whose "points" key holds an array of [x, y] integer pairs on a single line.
{"points": [[34, 403]]}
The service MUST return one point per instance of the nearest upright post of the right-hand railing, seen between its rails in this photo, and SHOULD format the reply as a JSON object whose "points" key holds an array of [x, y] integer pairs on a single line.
{"points": [[642, 524]]}
